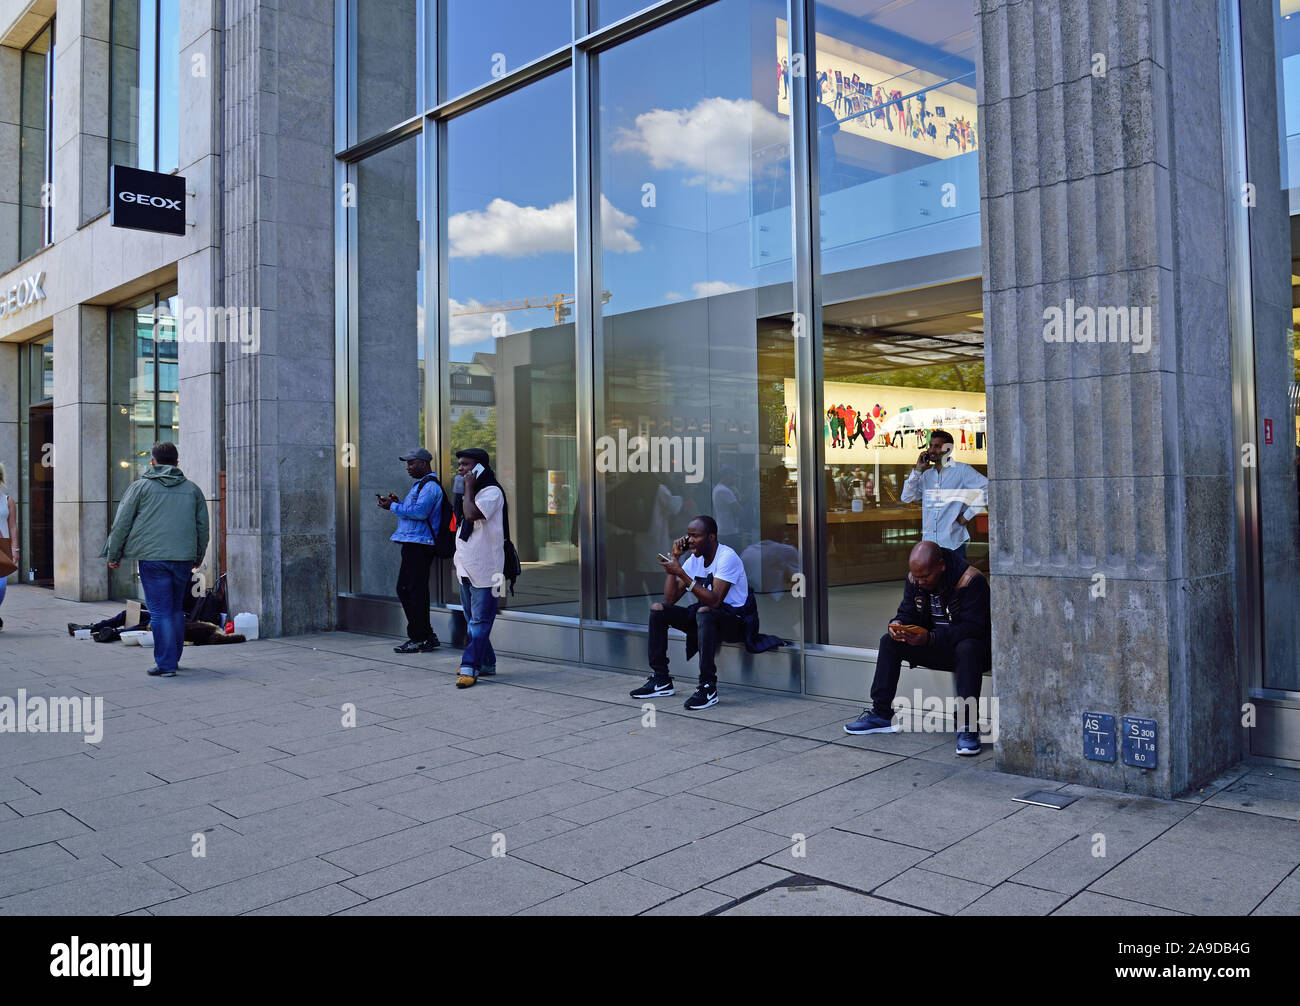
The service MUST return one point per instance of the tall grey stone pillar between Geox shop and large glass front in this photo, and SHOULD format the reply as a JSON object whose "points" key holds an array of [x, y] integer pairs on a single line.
{"points": [[279, 258]]}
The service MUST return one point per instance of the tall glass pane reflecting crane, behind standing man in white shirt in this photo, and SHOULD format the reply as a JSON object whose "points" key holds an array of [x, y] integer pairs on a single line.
{"points": [[509, 233]]}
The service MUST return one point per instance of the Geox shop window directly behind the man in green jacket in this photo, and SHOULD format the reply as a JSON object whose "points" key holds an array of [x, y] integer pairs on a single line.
{"points": [[144, 400]]}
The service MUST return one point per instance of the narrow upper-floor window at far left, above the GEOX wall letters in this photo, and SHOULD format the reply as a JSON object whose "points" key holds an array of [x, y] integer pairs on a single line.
{"points": [[36, 162]]}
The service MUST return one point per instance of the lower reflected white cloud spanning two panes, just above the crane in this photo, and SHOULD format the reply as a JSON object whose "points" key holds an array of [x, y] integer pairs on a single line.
{"points": [[513, 232]]}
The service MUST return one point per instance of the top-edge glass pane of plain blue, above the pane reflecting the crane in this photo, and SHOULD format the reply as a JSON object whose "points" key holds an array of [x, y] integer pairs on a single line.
{"points": [[486, 40]]}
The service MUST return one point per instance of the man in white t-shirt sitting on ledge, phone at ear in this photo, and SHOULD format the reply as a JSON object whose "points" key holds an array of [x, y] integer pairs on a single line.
{"points": [[716, 578]]}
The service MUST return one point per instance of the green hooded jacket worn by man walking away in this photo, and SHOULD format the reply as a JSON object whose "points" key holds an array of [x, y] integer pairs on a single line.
{"points": [[162, 518]]}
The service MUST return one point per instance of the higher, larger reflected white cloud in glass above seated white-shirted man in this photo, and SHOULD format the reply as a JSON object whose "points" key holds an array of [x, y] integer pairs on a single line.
{"points": [[713, 141]]}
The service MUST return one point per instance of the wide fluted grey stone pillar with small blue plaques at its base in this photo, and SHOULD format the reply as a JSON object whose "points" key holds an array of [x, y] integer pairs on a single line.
{"points": [[1111, 491]]}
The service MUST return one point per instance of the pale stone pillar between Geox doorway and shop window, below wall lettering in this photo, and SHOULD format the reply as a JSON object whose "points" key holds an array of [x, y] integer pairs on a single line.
{"points": [[81, 446]]}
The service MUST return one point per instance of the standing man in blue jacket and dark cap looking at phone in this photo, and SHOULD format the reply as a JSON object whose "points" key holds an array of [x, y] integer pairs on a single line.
{"points": [[418, 517]]}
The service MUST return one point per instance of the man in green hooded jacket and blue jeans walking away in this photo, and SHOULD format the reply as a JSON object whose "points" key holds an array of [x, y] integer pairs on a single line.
{"points": [[162, 522]]}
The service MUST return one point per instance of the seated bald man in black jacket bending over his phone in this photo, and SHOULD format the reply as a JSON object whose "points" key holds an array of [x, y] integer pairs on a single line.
{"points": [[943, 623]]}
